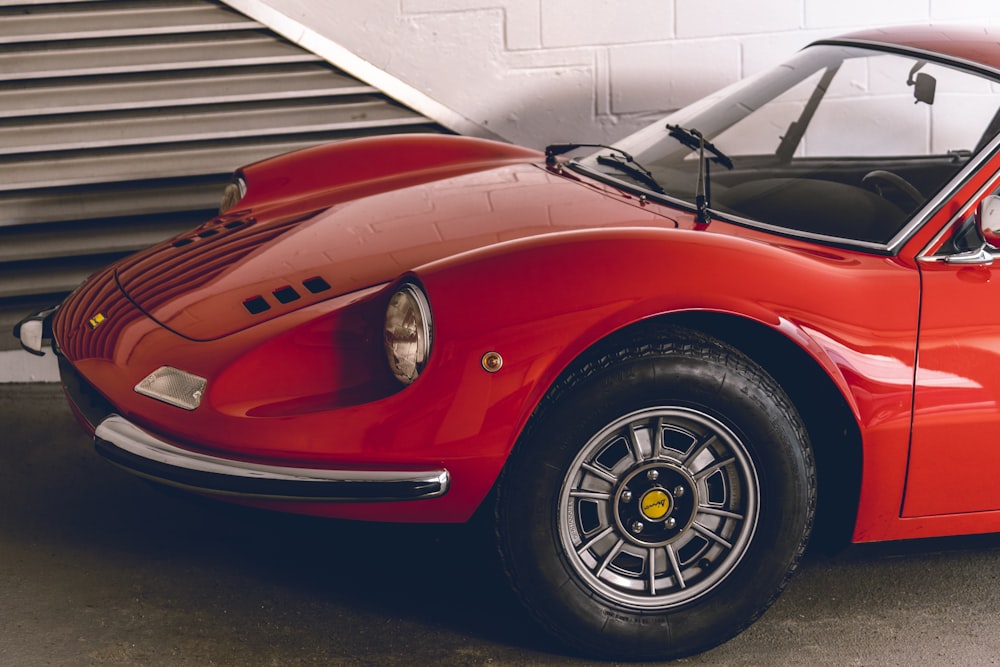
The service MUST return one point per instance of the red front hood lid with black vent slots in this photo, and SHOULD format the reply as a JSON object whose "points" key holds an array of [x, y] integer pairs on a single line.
{"points": [[237, 271]]}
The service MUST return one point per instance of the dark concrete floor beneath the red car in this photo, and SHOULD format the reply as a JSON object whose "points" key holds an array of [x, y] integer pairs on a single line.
{"points": [[99, 568]]}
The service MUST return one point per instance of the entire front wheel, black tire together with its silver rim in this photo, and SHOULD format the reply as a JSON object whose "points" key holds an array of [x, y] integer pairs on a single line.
{"points": [[671, 540]]}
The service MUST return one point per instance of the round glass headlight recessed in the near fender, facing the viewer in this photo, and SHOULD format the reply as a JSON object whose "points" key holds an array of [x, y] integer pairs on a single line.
{"points": [[407, 332]]}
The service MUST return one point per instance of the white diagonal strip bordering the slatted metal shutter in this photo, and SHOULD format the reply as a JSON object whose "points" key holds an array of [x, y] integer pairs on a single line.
{"points": [[340, 57]]}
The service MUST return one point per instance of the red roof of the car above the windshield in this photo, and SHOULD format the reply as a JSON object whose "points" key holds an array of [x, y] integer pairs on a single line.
{"points": [[974, 44]]}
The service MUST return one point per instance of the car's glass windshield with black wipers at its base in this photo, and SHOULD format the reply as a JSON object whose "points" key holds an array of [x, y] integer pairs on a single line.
{"points": [[841, 142]]}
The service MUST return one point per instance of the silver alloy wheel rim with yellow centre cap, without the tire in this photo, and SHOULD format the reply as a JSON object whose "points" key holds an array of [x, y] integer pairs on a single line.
{"points": [[658, 507]]}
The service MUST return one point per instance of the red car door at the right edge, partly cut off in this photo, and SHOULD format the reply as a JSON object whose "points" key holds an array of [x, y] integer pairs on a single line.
{"points": [[955, 443]]}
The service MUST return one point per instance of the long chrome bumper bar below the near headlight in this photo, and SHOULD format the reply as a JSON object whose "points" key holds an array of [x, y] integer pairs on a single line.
{"points": [[129, 447]]}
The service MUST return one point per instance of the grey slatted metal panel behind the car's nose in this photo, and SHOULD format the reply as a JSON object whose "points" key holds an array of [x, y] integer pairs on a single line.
{"points": [[120, 121]]}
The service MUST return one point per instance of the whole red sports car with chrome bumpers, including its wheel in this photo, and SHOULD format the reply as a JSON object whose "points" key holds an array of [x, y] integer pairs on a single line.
{"points": [[656, 362]]}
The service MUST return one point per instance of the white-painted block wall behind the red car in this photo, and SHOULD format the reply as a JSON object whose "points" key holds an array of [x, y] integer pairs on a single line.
{"points": [[541, 71]]}
